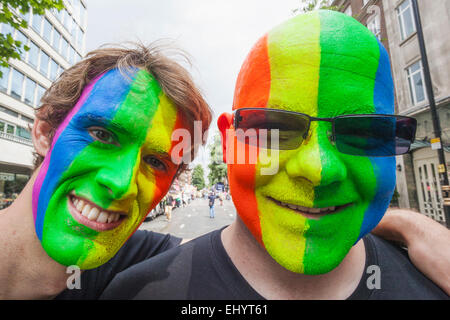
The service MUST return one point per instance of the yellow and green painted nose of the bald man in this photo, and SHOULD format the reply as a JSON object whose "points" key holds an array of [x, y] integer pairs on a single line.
{"points": [[317, 160]]}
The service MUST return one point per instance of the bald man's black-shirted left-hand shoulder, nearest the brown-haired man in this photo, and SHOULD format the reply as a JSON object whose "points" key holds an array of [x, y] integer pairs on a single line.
{"points": [[197, 270]]}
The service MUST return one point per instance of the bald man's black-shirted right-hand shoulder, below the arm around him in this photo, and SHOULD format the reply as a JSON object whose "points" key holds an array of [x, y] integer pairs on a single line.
{"points": [[399, 278]]}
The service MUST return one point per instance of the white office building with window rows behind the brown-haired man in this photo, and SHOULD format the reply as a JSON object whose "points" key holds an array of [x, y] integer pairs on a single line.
{"points": [[56, 41]]}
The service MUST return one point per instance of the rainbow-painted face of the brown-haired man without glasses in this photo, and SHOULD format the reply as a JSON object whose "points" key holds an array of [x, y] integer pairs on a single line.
{"points": [[108, 166]]}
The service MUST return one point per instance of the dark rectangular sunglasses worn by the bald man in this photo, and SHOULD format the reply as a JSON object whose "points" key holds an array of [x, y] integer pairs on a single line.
{"points": [[374, 135]]}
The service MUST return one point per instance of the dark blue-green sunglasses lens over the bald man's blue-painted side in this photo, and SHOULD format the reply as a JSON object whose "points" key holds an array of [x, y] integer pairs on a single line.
{"points": [[374, 136]]}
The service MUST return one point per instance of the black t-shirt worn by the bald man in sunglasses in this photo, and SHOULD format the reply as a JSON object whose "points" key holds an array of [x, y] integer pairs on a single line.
{"points": [[202, 270]]}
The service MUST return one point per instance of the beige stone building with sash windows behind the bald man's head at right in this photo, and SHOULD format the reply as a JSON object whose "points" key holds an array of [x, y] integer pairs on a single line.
{"points": [[418, 186]]}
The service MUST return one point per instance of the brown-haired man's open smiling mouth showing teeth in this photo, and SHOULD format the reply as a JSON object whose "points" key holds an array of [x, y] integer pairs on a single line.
{"points": [[93, 216]]}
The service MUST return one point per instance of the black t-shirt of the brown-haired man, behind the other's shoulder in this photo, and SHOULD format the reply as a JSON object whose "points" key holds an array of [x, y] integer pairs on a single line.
{"points": [[140, 246]]}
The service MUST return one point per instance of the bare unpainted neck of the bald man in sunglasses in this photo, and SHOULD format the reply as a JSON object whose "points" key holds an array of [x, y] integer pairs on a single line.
{"points": [[272, 281]]}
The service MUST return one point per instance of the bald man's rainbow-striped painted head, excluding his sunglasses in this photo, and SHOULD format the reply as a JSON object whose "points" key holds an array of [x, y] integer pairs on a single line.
{"points": [[323, 64]]}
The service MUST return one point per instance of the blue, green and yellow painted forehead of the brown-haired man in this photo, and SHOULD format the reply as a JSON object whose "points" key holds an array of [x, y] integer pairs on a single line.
{"points": [[132, 103]]}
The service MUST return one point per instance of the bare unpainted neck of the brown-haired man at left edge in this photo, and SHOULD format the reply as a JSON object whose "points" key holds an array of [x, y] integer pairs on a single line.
{"points": [[26, 271]]}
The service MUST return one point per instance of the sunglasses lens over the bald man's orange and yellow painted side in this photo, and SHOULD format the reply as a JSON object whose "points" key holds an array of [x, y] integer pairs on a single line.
{"points": [[271, 129]]}
